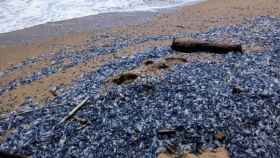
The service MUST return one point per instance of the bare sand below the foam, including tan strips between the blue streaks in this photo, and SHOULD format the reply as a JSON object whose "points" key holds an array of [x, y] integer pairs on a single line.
{"points": [[95, 31]]}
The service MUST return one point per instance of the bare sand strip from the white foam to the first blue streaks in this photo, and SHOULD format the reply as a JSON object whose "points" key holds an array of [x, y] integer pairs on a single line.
{"points": [[197, 17]]}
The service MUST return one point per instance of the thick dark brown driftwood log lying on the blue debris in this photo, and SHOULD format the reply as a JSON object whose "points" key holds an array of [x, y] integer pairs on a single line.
{"points": [[189, 46]]}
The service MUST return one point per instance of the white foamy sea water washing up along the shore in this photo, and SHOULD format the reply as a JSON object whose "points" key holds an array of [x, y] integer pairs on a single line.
{"points": [[19, 14]]}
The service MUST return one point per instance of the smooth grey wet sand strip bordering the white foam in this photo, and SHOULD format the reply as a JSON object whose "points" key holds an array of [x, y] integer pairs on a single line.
{"points": [[89, 24]]}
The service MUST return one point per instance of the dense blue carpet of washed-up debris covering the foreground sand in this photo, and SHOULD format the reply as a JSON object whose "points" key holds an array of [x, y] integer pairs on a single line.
{"points": [[196, 98]]}
